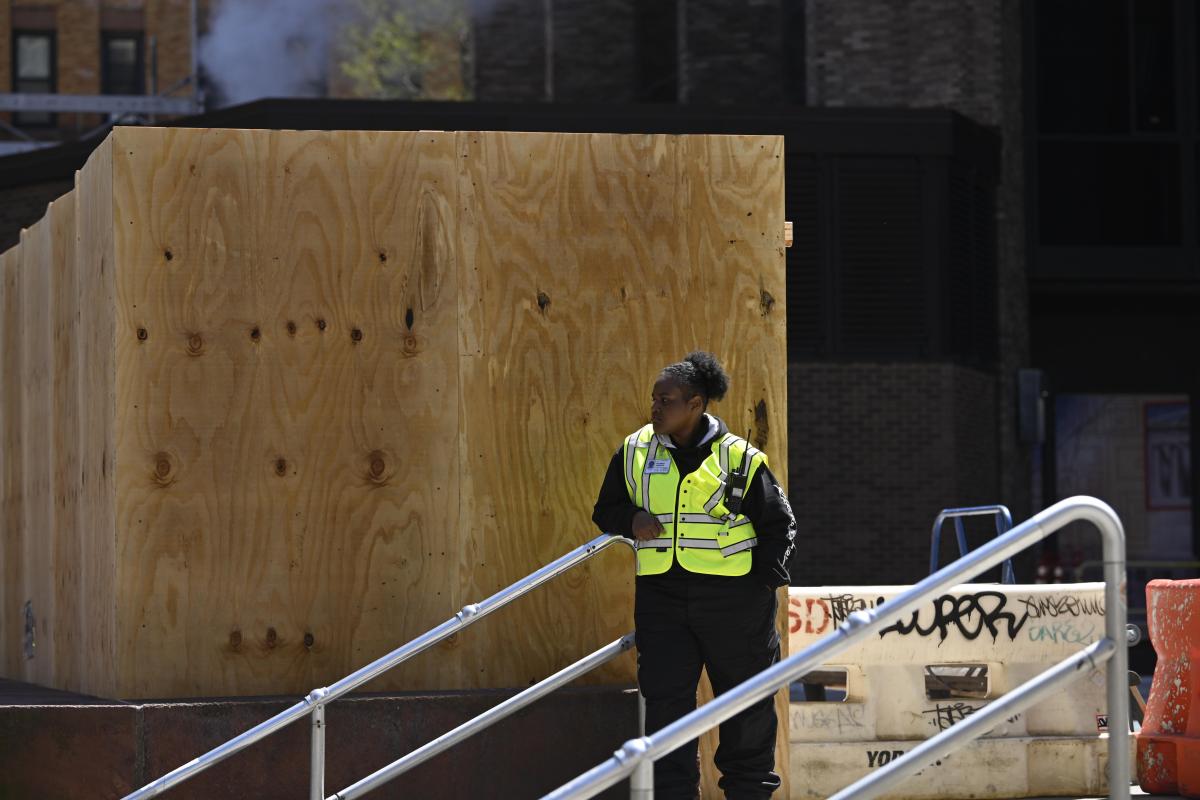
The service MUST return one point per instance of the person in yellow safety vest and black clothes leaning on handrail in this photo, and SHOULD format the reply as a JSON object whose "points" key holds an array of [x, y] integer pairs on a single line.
{"points": [[715, 537]]}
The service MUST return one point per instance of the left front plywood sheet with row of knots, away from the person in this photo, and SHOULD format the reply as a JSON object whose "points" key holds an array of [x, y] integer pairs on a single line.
{"points": [[287, 426]]}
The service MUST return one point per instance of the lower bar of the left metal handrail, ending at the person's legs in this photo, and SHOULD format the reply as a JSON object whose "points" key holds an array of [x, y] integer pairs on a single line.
{"points": [[515, 703]]}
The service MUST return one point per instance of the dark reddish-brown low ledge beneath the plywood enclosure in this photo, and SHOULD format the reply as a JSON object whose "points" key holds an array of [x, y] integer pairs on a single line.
{"points": [[67, 747]]}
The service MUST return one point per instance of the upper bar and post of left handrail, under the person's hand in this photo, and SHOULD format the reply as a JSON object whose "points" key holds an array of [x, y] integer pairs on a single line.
{"points": [[315, 702]]}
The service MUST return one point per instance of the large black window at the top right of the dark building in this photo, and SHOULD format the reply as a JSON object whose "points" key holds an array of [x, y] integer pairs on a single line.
{"points": [[1112, 148]]}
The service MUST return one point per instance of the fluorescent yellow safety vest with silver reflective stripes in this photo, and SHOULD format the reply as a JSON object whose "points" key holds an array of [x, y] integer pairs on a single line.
{"points": [[699, 530]]}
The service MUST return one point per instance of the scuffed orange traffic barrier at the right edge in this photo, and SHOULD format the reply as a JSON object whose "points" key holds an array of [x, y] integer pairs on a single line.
{"points": [[1169, 743]]}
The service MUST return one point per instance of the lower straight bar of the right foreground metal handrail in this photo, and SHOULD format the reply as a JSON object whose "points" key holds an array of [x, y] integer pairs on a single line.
{"points": [[977, 725]]}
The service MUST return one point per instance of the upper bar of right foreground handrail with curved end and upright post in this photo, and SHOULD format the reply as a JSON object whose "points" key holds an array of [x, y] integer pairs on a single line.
{"points": [[865, 623]]}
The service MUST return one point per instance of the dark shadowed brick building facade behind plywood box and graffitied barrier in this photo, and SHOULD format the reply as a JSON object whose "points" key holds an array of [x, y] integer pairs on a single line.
{"points": [[962, 332]]}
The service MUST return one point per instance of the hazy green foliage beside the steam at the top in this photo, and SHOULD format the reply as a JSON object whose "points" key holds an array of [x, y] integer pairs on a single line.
{"points": [[406, 50]]}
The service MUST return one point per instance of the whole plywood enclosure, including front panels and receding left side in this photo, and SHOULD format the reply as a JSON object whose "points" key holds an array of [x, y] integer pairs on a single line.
{"points": [[299, 396]]}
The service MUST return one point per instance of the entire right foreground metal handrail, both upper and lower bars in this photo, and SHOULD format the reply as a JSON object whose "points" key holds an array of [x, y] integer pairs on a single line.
{"points": [[1112, 648]]}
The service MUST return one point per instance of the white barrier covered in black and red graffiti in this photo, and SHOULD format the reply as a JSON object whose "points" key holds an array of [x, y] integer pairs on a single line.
{"points": [[940, 666]]}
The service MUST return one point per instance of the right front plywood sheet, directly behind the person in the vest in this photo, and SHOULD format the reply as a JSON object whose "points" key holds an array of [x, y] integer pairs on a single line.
{"points": [[592, 262]]}
